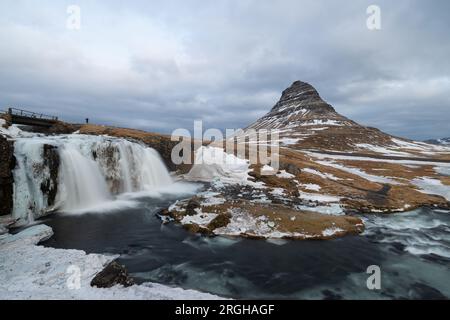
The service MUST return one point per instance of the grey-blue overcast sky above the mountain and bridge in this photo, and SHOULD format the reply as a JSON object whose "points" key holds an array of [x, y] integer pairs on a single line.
{"points": [[159, 65]]}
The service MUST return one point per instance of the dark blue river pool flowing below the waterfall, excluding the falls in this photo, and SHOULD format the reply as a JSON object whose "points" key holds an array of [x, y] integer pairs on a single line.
{"points": [[412, 250]]}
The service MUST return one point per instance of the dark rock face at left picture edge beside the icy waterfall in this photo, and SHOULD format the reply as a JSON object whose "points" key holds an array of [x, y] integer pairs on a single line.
{"points": [[7, 164]]}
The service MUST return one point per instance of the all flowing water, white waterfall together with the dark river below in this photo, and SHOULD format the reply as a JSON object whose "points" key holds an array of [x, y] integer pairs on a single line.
{"points": [[109, 190]]}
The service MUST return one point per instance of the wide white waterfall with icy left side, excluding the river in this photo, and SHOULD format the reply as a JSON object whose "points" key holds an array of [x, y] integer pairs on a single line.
{"points": [[90, 170]]}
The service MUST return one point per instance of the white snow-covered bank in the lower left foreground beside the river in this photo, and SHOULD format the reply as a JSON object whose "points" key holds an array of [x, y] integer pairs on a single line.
{"points": [[28, 271]]}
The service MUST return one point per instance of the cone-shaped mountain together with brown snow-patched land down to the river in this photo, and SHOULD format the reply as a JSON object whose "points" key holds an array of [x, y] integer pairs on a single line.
{"points": [[329, 170]]}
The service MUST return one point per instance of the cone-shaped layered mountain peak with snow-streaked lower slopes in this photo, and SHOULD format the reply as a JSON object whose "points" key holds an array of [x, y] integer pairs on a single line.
{"points": [[306, 121]]}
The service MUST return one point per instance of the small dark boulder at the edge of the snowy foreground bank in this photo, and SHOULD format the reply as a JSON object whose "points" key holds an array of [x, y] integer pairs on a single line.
{"points": [[113, 274]]}
